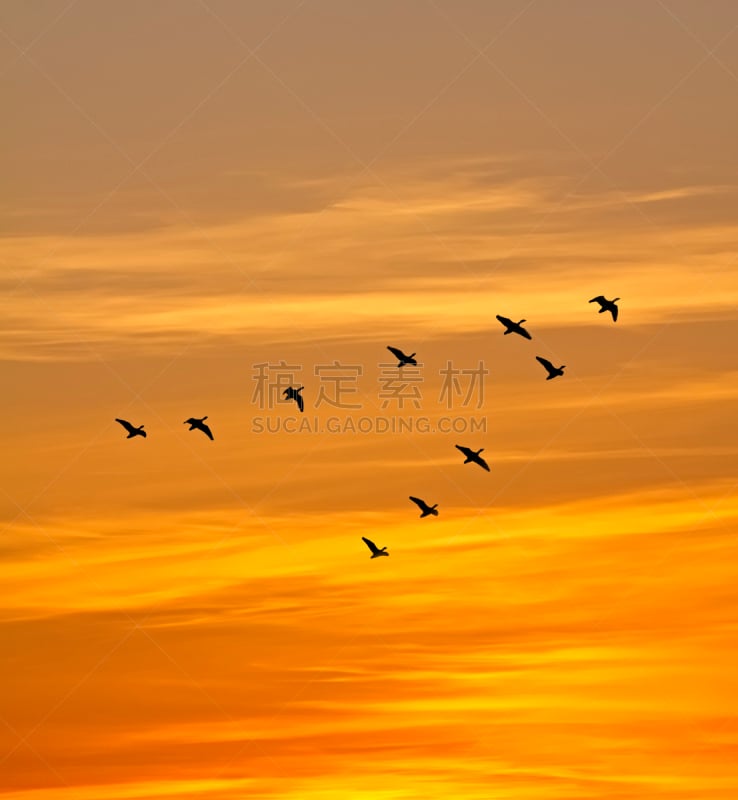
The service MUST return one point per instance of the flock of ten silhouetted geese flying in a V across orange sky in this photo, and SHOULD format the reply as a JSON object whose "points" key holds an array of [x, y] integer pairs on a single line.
{"points": [[471, 456]]}
